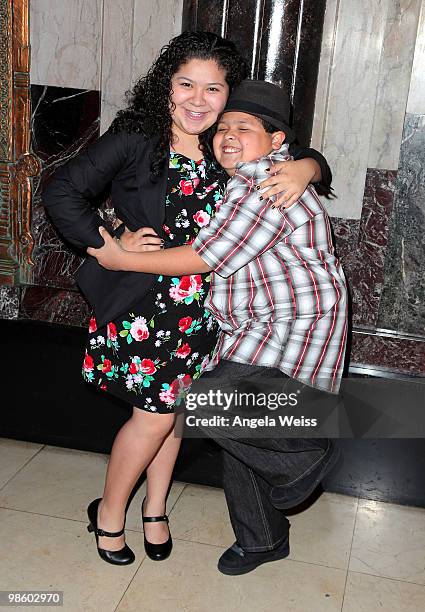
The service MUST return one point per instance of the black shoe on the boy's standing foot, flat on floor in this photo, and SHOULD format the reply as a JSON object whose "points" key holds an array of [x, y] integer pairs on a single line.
{"points": [[236, 561]]}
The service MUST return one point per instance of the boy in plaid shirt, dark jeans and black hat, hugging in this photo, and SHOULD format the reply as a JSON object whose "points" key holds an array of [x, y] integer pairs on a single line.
{"points": [[279, 294]]}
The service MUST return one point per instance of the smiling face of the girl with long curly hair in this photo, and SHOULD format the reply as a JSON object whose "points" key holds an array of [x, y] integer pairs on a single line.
{"points": [[199, 93]]}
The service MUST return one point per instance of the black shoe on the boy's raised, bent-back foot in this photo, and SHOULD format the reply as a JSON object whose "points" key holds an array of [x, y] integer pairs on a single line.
{"points": [[284, 497]]}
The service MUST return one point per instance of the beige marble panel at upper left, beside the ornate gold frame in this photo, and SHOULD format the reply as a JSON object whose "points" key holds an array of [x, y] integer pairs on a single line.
{"points": [[66, 43]]}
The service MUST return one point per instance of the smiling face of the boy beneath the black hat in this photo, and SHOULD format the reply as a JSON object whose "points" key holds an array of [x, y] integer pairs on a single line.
{"points": [[241, 138]]}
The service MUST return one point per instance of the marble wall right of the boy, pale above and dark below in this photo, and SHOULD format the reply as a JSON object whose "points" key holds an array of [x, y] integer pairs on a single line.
{"points": [[369, 122]]}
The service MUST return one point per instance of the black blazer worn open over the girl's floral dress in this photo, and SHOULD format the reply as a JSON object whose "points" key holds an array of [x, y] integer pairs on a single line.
{"points": [[120, 162]]}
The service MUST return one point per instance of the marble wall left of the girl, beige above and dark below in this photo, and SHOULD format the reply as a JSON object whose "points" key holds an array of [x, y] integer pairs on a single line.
{"points": [[85, 54]]}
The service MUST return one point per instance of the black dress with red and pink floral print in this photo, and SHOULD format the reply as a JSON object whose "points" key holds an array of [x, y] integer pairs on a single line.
{"points": [[150, 356]]}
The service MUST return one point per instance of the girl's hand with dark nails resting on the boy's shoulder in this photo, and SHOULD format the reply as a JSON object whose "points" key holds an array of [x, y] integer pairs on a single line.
{"points": [[289, 179]]}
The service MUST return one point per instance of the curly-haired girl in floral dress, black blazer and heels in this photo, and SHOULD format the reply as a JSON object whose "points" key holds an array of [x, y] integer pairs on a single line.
{"points": [[148, 340]]}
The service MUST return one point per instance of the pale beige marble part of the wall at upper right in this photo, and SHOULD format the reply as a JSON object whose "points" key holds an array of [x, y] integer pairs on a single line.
{"points": [[363, 86]]}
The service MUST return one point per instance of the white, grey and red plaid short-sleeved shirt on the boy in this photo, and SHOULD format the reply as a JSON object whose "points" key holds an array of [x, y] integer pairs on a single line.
{"points": [[278, 291]]}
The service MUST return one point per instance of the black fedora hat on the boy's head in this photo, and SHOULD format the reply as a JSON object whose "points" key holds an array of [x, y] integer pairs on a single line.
{"points": [[264, 100]]}
